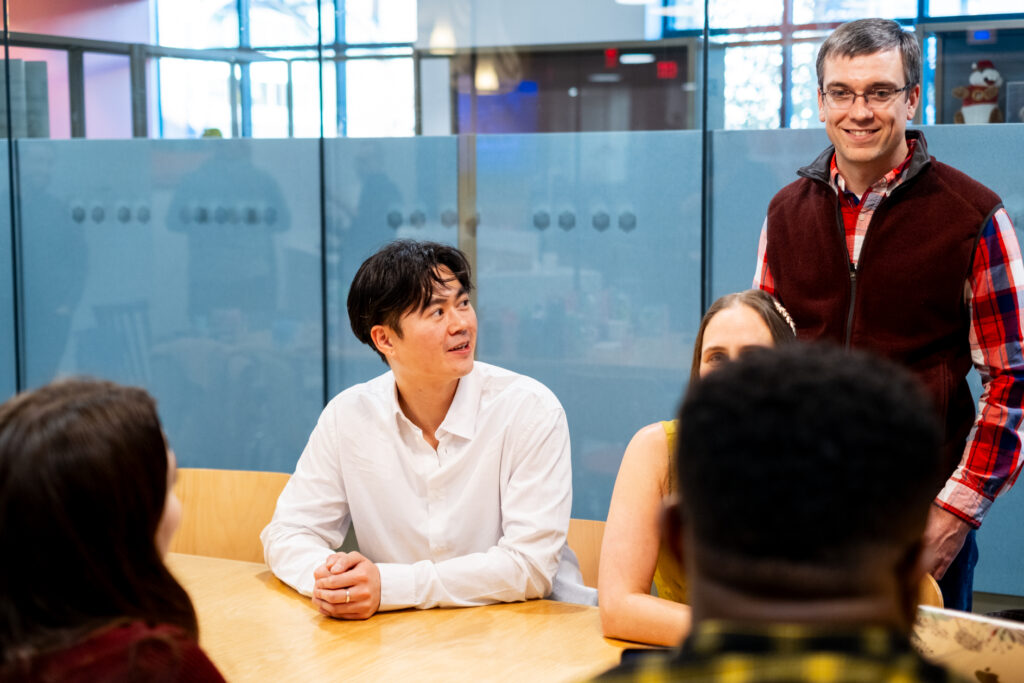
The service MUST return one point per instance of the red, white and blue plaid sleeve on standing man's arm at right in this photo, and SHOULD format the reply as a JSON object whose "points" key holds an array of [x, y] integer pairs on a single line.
{"points": [[996, 296]]}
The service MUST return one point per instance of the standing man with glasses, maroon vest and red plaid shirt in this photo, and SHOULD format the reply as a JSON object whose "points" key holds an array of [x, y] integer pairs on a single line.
{"points": [[879, 246]]}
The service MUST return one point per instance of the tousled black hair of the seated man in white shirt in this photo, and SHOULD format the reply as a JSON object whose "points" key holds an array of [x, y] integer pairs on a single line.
{"points": [[401, 278]]}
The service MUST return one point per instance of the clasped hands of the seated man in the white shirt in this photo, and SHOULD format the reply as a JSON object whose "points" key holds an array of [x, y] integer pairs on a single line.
{"points": [[349, 586]]}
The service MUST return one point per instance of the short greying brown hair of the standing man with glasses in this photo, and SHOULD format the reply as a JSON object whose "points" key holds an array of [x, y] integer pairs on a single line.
{"points": [[868, 37]]}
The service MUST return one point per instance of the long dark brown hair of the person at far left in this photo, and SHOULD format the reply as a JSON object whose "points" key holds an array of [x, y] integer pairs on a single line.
{"points": [[83, 484]]}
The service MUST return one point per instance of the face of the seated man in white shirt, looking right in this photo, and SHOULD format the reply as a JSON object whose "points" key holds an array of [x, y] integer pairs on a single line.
{"points": [[436, 345]]}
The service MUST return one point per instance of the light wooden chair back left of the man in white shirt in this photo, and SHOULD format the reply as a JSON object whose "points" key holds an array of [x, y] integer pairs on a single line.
{"points": [[224, 511]]}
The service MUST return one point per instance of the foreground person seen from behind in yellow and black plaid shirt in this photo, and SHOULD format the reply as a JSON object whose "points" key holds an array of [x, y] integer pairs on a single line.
{"points": [[775, 450]]}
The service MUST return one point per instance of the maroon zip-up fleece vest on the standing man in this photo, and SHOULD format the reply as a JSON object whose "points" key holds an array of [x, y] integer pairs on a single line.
{"points": [[906, 298]]}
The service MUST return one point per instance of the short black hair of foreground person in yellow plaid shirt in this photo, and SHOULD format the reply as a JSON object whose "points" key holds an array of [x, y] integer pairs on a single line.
{"points": [[806, 456]]}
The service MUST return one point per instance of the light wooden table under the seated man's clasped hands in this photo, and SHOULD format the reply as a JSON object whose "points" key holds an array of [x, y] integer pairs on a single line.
{"points": [[258, 629]]}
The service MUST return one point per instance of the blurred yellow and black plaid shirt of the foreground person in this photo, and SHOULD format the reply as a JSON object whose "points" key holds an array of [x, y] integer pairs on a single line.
{"points": [[746, 654]]}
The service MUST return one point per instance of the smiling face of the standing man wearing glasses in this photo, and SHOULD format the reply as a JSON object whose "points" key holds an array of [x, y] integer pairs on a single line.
{"points": [[869, 143]]}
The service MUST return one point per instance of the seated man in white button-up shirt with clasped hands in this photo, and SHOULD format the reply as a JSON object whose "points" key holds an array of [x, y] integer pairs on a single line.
{"points": [[455, 474]]}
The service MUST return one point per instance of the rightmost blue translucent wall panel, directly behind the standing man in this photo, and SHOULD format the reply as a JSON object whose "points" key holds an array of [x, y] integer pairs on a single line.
{"points": [[751, 166]]}
